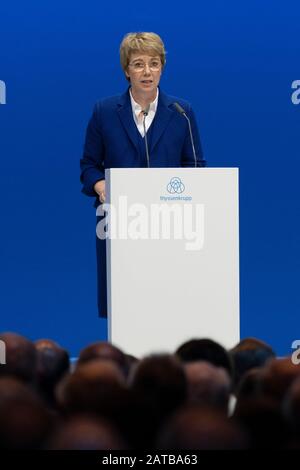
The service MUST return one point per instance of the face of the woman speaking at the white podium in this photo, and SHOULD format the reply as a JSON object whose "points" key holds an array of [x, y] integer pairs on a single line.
{"points": [[144, 72]]}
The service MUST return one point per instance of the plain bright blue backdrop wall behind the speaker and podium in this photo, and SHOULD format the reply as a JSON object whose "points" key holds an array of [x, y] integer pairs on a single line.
{"points": [[237, 62]]}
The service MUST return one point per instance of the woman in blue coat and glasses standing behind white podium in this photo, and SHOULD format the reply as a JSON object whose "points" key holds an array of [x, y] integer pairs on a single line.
{"points": [[143, 127]]}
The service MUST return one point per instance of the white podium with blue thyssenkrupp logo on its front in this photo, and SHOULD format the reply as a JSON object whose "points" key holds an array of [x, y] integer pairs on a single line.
{"points": [[172, 257]]}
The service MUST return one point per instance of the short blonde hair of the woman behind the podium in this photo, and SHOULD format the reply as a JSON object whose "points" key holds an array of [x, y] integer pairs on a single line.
{"points": [[148, 43]]}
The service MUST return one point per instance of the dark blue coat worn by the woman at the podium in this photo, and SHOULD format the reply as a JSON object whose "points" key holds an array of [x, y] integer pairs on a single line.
{"points": [[112, 141]]}
